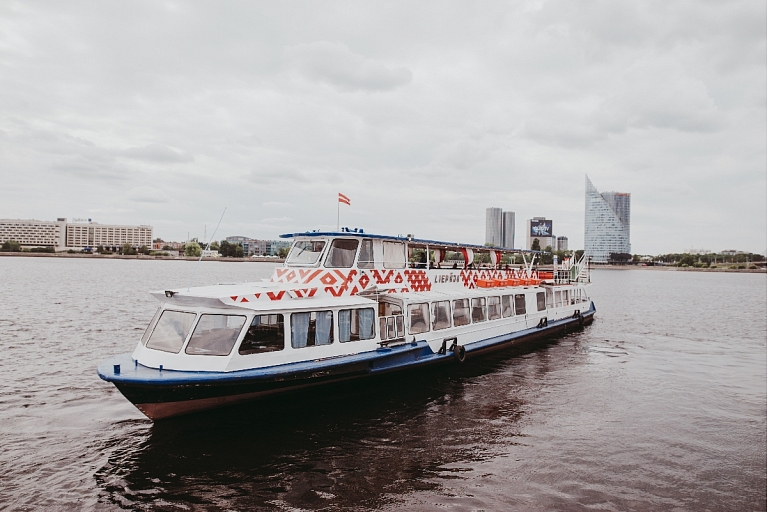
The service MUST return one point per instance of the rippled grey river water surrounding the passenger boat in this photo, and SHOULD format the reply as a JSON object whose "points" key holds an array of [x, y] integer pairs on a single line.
{"points": [[659, 405]]}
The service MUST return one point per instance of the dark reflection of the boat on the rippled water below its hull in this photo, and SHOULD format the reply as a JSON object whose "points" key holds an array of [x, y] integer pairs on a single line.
{"points": [[339, 446]]}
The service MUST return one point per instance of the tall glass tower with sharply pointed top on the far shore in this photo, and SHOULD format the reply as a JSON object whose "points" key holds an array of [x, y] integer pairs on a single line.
{"points": [[606, 223]]}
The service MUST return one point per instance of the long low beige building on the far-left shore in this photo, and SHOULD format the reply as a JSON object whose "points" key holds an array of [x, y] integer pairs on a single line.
{"points": [[62, 235]]}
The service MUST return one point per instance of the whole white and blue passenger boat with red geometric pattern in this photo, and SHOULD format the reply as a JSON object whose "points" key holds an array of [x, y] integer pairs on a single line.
{"points": [[344, 305]]}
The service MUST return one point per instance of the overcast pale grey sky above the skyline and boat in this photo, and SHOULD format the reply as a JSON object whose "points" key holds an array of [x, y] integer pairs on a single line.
{"points": [[423, 113]]}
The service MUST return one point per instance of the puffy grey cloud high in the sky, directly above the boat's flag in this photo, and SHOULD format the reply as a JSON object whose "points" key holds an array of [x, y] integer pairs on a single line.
{"points": [[337, 65]]}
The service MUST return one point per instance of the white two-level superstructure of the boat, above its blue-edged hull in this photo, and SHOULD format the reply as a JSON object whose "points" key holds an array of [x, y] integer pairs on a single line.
{"points": [[346, 293]]}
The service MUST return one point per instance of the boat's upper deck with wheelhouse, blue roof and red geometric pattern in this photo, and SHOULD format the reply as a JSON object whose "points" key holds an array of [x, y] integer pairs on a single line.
{"points": [[346, 263]]}
